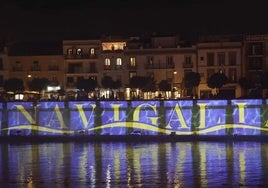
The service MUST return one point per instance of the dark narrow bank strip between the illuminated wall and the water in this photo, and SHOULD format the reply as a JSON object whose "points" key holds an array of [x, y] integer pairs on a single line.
{"points": [[131, 138]]}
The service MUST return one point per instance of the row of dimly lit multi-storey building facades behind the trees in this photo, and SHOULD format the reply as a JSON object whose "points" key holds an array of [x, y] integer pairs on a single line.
{"points": [[159, 57]]}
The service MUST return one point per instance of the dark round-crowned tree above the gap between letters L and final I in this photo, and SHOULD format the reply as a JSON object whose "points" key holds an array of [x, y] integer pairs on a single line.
{"points": [[217, 80]]}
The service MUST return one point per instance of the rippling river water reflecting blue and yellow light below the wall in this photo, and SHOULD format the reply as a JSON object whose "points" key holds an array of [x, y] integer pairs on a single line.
{"points": [[116, 164]]}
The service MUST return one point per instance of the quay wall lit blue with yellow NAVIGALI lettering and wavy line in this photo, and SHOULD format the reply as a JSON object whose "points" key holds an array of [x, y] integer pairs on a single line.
{"points": [[146, 117]]}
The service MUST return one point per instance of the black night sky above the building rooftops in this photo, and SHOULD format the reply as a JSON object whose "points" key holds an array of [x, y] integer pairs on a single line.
{"points": [[83, 19]]}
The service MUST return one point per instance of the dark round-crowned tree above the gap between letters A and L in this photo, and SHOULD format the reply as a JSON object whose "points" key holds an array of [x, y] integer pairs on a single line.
{"points": [[191, 81]]}
